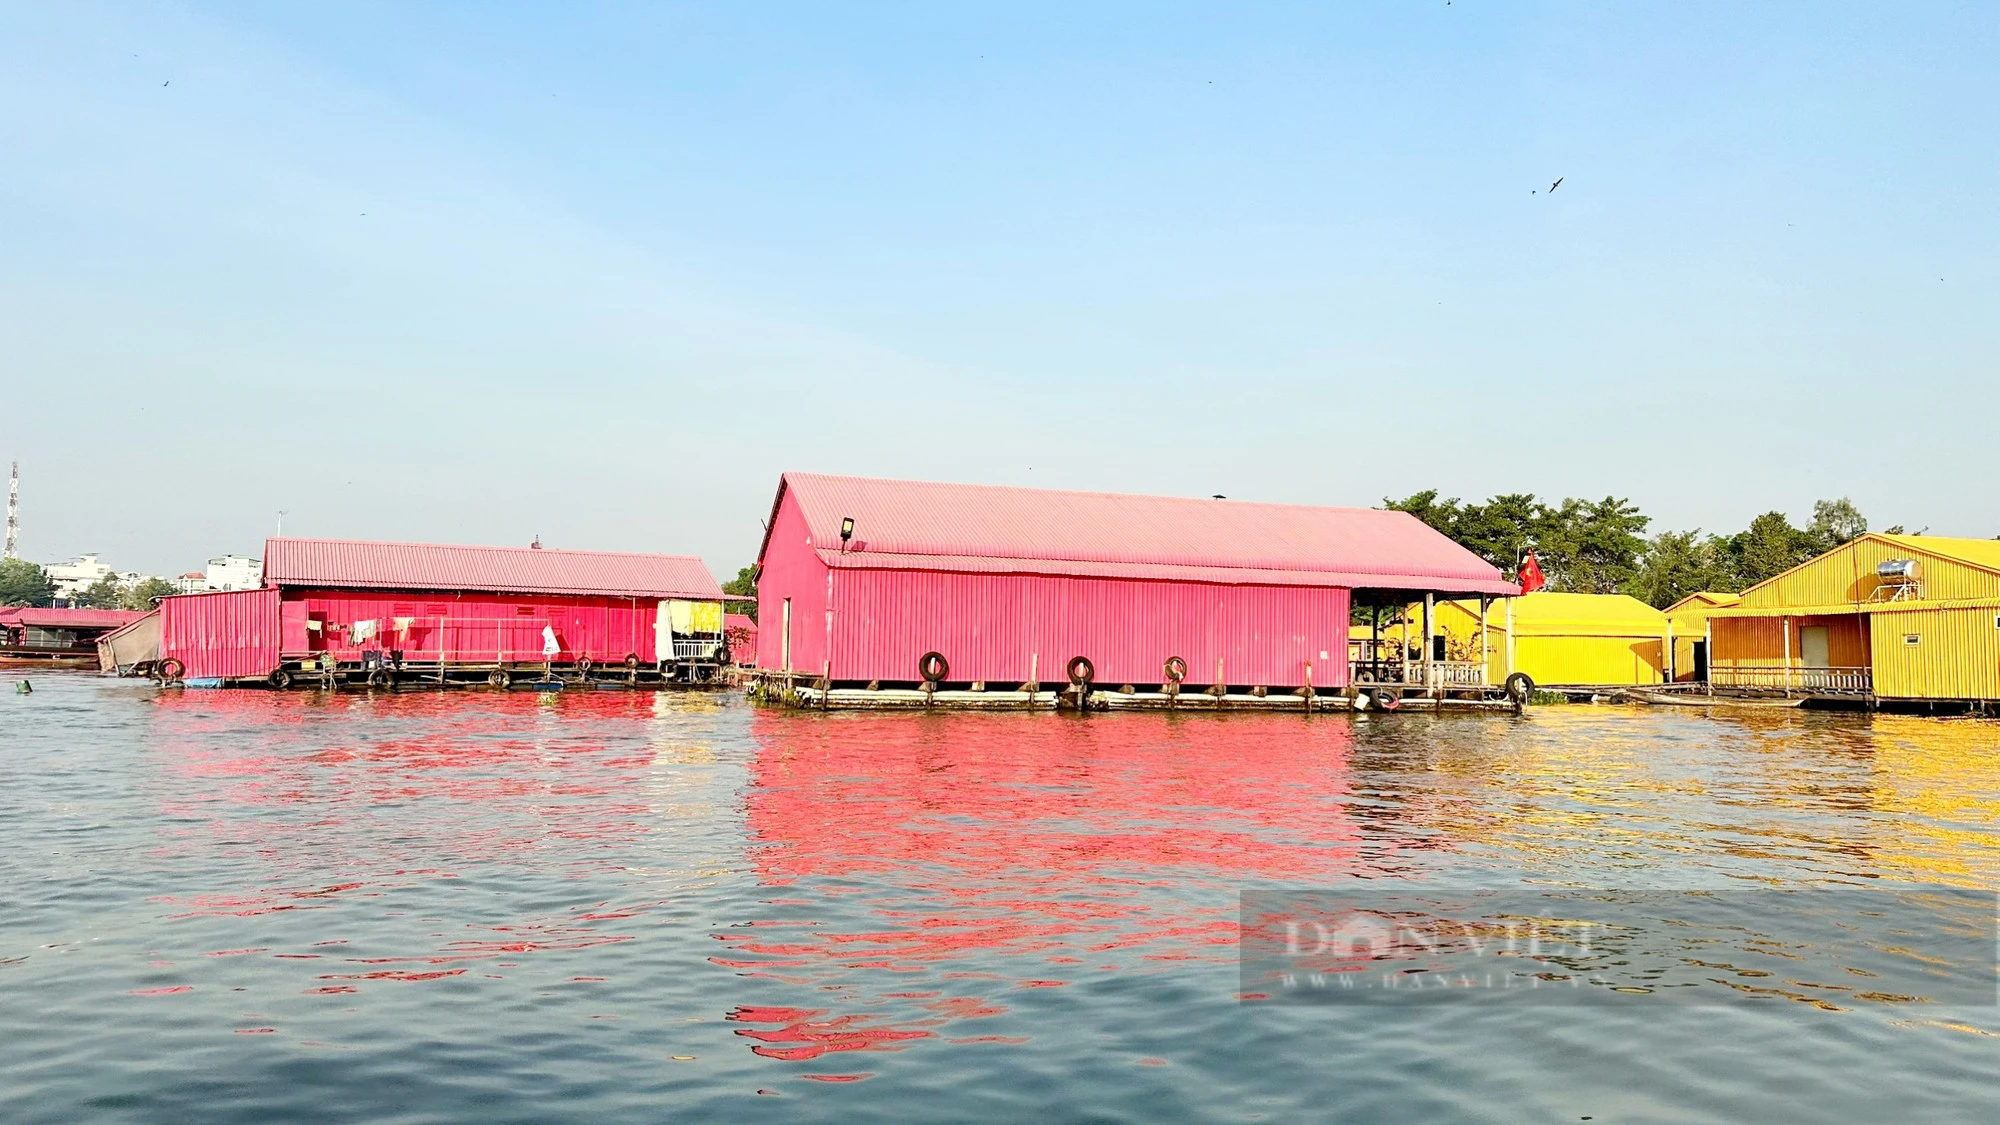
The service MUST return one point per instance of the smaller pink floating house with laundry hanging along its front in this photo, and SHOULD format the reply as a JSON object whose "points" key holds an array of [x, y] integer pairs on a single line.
{"points": [[433, 614]]}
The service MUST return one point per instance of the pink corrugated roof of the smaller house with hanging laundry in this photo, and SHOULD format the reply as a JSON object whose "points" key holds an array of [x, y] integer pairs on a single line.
{"points": [[511, 570]]}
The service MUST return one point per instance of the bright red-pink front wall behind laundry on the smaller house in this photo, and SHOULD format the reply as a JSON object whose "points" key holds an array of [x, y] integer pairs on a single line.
{"points": [[471, 628]]}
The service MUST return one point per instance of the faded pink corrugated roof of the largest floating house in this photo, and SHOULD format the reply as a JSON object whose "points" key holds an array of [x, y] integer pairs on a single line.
{"points": [[997, 529]]}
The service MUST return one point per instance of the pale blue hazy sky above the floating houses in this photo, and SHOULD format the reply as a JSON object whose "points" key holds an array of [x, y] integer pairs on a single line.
{"points": [[479, 271]]}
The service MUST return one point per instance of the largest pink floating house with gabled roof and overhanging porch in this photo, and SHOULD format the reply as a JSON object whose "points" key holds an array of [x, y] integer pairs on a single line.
{"points": [[861, 582]]}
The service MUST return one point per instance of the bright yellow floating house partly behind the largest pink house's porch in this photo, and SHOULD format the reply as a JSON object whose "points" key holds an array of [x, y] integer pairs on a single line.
{"points": [[1557, 640]]}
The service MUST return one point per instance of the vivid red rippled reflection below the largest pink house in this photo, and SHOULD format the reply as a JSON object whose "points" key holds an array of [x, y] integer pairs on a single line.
{"points": [[1001, 836]]}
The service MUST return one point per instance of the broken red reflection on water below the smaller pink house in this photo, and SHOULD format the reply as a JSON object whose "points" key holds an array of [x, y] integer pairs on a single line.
{"points": [[451, 780]]}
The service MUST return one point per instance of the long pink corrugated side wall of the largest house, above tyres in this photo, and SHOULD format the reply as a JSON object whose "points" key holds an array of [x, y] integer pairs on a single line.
{"points": [[993, 628]]}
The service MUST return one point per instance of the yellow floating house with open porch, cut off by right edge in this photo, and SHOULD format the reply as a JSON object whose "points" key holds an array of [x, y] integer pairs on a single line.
{"points": [[1887, 618]]}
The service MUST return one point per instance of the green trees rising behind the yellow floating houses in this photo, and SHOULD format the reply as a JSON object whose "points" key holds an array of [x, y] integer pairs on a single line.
{"points": [[1601, 547]]}
